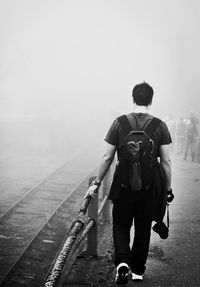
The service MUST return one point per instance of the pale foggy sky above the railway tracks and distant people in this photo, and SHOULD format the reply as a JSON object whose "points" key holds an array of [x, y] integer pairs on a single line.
{"points": [[67, 68]]}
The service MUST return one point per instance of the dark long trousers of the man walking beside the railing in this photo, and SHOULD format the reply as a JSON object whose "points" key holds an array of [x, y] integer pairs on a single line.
{"points": [[125, 210]]}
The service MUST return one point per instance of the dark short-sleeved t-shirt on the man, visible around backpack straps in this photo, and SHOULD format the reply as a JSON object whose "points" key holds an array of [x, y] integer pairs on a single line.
{"points": [[141, 120]]}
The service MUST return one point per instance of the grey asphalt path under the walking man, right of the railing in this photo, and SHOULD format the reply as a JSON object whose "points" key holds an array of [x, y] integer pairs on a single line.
{"points": [[171, 262]]}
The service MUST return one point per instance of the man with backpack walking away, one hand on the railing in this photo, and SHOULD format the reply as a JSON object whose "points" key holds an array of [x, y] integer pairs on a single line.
{"points": [[141, 182]]}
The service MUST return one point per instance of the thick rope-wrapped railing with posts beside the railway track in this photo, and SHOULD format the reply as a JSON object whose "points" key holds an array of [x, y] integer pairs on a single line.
{"points": [[81, 227]]}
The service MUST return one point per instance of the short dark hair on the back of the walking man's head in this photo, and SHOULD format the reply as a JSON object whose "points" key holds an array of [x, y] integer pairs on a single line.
{"points": [[142, 94]]}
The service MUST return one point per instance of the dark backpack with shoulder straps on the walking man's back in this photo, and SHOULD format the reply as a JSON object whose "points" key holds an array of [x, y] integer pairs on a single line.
{"points": [[136, 155]]}
